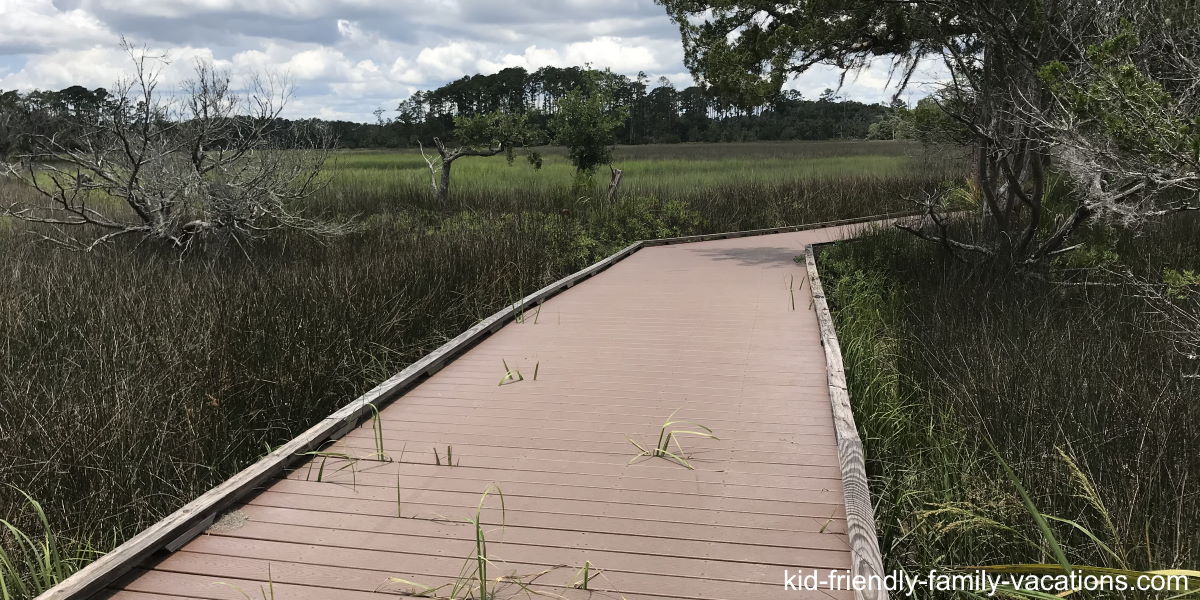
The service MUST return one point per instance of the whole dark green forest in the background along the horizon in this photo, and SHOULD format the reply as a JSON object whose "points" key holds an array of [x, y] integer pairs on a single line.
{"points": [[658, 115]]}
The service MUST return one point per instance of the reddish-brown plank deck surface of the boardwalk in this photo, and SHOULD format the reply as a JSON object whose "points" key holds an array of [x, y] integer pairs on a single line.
{"points": [[722, 332]]}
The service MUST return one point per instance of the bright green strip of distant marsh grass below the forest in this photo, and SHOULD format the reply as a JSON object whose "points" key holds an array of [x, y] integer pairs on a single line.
{"points": [[728, 187]]}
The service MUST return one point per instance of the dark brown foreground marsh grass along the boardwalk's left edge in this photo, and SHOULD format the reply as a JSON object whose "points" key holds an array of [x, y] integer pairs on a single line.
{"points": [[134, 382]]}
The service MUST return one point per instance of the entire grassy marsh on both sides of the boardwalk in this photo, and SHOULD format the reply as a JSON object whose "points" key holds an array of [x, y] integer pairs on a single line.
{"points": [[135, 381]]}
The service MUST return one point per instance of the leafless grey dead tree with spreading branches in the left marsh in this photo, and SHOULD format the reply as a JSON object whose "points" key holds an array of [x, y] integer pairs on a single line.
{"points": [[177, 169]]}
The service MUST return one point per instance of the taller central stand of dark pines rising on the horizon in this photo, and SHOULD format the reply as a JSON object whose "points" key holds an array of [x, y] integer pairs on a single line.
{"points": [[652, 116]]}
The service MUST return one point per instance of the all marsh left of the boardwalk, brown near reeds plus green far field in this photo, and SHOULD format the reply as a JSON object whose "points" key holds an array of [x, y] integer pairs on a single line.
{"points": [[134, 381]]}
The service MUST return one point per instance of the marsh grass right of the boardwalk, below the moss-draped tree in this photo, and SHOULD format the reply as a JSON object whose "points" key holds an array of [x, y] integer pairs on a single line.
{"points": [[1083, 399]]}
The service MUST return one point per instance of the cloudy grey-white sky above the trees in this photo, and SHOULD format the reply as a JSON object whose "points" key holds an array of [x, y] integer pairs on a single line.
{"points": [[347, 58]]}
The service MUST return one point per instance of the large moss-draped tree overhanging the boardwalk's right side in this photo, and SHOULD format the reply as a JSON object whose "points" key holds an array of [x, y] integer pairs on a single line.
{"points": [[1107, 94]]}
